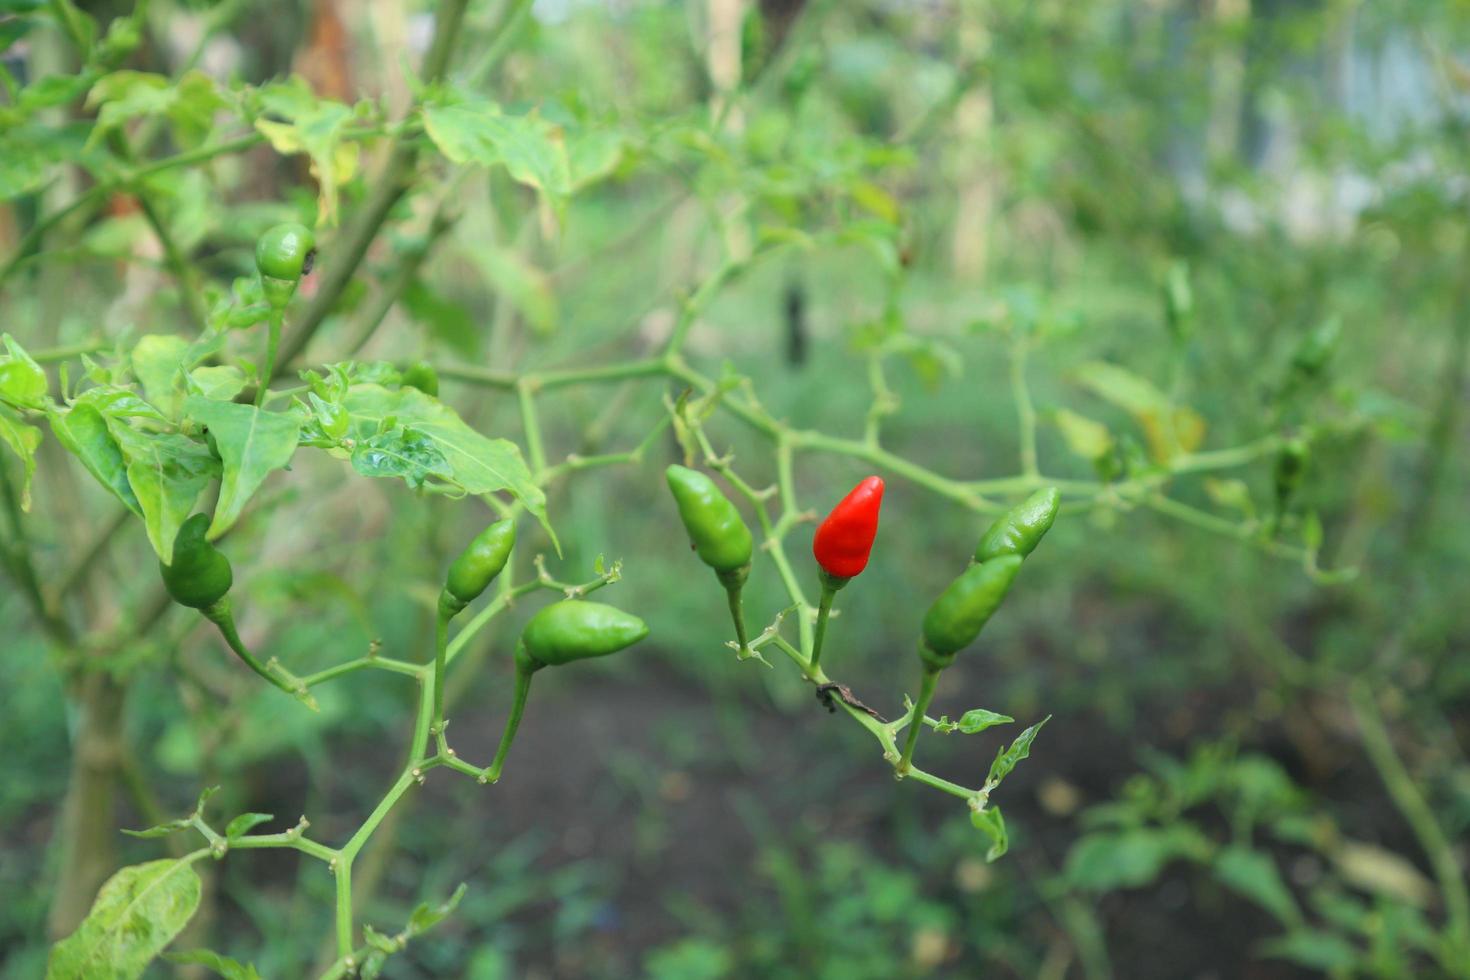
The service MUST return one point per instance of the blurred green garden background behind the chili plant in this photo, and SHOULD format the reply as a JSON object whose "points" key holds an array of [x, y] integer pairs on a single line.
{"points": [[1249, 772]]}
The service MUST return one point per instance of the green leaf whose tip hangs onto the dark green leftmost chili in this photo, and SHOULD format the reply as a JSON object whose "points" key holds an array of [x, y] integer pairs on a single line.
{"points": [[167, 474]]}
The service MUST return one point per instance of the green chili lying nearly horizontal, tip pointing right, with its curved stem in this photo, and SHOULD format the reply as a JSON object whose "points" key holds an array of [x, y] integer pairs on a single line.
{"points": [[562, 633]]}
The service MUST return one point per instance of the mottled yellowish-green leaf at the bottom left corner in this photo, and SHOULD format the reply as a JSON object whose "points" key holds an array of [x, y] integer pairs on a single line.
{"points": [[139, 912]]}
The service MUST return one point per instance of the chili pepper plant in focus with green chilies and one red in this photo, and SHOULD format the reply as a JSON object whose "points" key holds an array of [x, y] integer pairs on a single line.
{"points": [[249, 364]]}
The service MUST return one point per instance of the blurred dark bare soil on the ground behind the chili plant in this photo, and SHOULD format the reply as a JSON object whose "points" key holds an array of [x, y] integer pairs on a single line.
{"points": [[640, 779]]}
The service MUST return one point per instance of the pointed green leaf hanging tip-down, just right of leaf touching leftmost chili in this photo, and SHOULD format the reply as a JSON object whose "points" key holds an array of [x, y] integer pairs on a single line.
{"points": [[252, 443]]}
